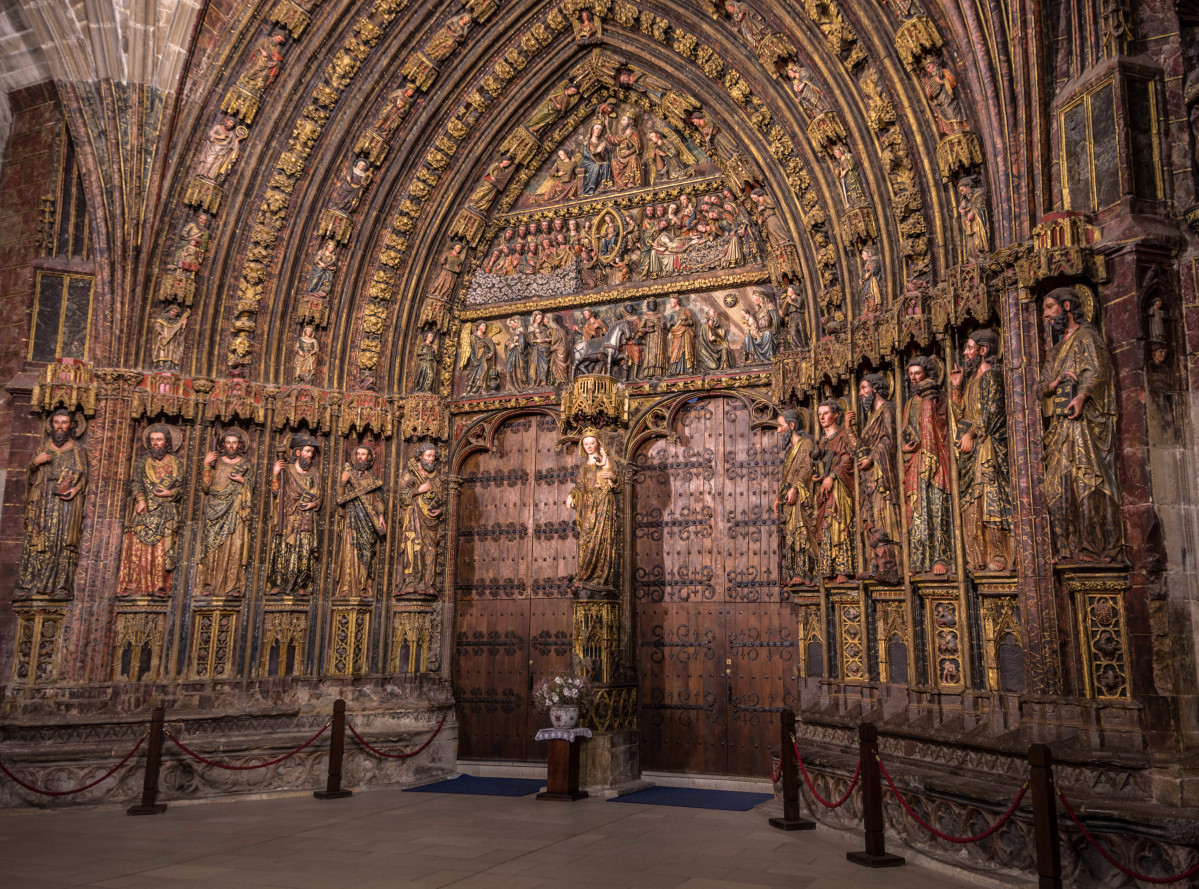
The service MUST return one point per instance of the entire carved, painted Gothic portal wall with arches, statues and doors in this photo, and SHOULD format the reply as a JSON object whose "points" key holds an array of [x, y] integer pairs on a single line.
{"points": [[737, 357]]}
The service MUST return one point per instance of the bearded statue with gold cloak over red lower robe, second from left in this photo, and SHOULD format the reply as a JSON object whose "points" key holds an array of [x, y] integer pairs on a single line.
{"points": [[148, 557]]}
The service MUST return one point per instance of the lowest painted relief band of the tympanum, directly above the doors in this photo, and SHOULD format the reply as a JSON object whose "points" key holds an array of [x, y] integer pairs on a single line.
{"points": [[686, 335]]}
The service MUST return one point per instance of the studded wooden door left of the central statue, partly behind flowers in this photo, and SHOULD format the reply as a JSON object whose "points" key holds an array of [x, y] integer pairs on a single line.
{"points": [[515, 561]]}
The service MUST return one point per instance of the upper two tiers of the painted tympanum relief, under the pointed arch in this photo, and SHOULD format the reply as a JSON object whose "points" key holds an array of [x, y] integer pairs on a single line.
{"points": [[674, 217]]}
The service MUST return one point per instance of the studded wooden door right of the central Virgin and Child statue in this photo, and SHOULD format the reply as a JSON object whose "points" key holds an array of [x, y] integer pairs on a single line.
{"points": [[715, 644]]}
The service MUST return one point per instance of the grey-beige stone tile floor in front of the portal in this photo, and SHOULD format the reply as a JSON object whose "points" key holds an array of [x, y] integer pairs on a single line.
{"points": [[395, 840]]}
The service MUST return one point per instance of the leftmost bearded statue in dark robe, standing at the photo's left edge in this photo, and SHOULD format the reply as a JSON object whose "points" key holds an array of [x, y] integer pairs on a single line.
{"points": [[55, 506]]}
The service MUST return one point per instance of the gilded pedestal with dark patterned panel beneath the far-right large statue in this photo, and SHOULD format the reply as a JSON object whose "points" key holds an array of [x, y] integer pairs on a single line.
{"points": [[1104, 636]]}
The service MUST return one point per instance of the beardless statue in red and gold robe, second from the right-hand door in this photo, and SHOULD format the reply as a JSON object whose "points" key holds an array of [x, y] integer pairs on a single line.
{"points": [[834, 476]]}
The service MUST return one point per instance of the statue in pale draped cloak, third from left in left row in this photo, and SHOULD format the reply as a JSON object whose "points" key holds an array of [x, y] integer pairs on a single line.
{"points": [[225, 531]]}
